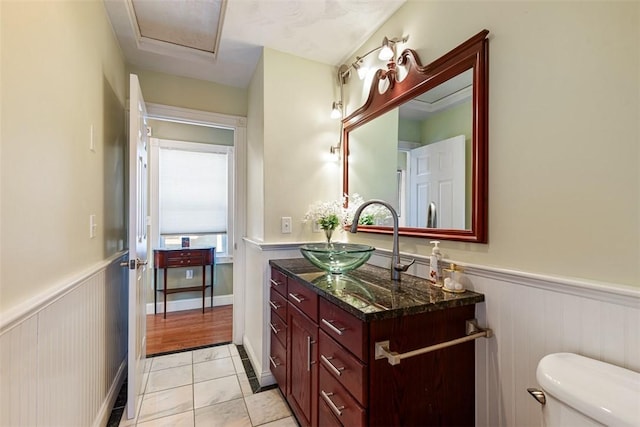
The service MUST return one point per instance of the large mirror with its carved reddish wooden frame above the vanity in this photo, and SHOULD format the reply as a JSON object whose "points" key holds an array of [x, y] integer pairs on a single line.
{"points": [[420, 142]]}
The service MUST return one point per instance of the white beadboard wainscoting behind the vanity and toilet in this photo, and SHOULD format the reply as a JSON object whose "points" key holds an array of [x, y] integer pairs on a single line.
{"points": [[531, 315]]}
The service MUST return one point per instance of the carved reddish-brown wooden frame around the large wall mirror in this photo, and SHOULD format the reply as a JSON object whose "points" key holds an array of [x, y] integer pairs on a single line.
{"points": [[472, 54]]}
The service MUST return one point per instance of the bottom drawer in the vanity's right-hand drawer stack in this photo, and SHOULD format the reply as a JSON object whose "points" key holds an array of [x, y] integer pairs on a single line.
{"points": [[339, 401]]}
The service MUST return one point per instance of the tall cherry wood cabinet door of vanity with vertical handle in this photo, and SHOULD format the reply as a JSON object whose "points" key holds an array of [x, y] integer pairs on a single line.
{"points": [[303, 367]]}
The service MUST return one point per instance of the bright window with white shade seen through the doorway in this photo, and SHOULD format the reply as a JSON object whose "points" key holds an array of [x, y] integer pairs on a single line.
{"points": [[195, 186]]}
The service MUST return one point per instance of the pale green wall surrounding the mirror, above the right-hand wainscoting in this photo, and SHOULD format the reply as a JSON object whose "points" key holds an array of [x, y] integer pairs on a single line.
{"points": [[564, 162]]}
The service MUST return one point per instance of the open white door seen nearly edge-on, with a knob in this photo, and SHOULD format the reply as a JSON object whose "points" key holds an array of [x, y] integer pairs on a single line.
{"points": [[138, 208]]}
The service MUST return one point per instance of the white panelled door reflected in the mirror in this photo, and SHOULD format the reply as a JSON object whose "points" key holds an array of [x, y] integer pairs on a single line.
{"points": [[437, 178]]}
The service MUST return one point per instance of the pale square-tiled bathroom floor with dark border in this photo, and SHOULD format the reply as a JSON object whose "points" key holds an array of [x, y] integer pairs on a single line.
{"points": [[211, 386]]}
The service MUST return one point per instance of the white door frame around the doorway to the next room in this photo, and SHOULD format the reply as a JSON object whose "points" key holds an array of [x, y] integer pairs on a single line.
{"points": [[239, 125]]}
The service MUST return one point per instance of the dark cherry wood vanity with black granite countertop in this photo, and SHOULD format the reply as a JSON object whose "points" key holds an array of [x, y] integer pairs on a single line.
{"points": [[326, 335]]}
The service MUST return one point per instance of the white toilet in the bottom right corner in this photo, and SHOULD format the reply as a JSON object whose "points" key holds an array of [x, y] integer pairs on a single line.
{"points": [[578, 391]]}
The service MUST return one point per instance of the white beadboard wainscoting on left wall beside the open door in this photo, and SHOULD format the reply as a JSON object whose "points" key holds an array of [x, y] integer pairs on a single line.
{"points": [[63, 358]]}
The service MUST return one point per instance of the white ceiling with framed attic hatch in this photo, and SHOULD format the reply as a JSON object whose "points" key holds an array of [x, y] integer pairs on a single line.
{"points": [[180, 36]]}
